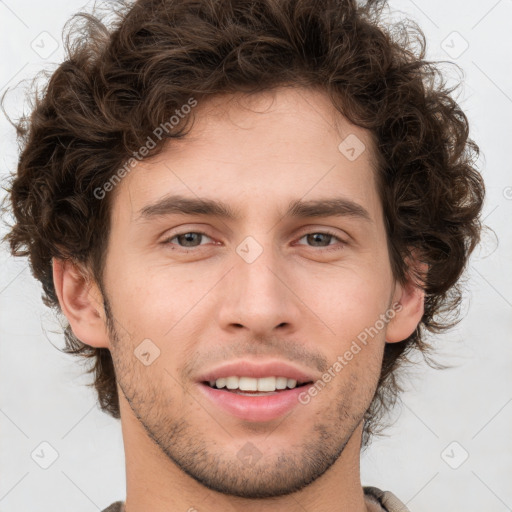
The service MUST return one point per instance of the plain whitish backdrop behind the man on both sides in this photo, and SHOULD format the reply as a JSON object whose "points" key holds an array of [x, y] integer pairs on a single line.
{"points": [[44, 397]]}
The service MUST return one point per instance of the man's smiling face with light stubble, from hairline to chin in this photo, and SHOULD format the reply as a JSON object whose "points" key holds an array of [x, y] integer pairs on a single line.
{"points": [[267, 291]]}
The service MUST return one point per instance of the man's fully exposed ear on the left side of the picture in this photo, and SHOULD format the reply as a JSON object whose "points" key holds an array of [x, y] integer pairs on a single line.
{"points": [[81, 302]]}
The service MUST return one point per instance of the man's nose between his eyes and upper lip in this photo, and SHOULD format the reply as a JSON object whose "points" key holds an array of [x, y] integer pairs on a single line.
{"points": [[258, 295]]}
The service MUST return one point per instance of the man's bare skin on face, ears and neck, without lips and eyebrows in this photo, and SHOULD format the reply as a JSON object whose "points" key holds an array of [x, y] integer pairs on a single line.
{"points": [[297, 301]]}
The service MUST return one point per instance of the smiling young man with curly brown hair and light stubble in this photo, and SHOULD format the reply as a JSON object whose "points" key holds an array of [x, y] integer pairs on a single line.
{"points": [[249, 213]]}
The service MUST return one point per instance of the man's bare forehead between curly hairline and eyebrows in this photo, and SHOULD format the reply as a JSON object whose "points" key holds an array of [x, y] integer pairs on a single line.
{"points": [[272, 147]]}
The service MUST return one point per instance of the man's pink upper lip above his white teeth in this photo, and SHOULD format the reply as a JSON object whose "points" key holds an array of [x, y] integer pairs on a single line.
{"points": [[253, 369]]}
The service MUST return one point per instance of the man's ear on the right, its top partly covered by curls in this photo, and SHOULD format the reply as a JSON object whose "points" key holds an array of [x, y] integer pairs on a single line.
{"points": [[410, 303]]}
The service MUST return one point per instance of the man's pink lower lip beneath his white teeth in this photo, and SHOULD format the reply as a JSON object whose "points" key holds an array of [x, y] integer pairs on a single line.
{"points": [[254, 408]]}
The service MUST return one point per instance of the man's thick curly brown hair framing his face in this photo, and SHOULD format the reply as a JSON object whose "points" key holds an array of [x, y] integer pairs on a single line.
{"points": [[124, 77]]}
